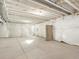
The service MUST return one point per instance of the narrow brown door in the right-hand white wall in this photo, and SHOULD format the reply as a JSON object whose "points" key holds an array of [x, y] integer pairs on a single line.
{"points": [[49, 33]]}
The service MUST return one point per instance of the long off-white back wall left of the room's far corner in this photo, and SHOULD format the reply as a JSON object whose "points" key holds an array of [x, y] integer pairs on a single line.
{"points": [[15, 30]]}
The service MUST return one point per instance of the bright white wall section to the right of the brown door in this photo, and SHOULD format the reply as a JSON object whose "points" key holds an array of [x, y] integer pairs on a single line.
{"points": [[67, 29]]}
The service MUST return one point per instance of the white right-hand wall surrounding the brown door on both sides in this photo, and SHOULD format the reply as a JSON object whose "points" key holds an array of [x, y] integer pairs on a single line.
{"points": [[66, 29]]}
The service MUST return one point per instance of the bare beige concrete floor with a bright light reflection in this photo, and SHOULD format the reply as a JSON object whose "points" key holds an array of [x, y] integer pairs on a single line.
{"points": [[36, 48]]}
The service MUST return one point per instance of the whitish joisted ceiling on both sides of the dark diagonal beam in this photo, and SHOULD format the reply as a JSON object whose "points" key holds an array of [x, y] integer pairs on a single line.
{"points": [[29, 11]]}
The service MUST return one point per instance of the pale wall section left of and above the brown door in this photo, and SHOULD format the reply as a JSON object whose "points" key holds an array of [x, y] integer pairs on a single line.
{"points": [[41, 28]]}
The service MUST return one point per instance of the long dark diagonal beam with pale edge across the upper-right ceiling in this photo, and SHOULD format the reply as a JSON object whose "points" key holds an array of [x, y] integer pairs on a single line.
{"points": [[51, 4]]}
